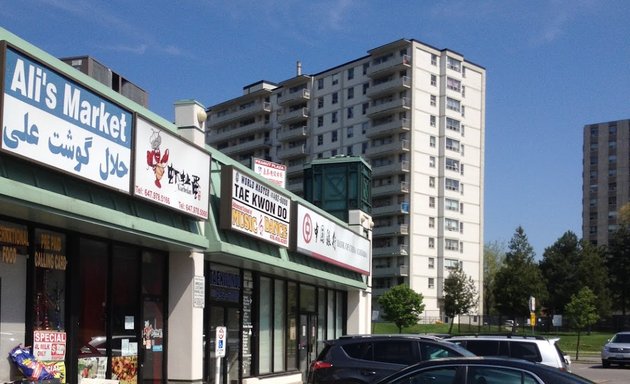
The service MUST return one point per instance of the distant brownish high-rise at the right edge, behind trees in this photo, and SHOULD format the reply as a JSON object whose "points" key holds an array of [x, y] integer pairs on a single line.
{"points": [[606, 180]]}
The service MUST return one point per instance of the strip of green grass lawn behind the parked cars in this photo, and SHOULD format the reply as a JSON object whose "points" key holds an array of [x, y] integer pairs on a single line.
{"points": [[589, 343]]}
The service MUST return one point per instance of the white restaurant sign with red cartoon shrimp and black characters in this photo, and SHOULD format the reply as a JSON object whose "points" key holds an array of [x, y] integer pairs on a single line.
{"points": [[171, 172]]}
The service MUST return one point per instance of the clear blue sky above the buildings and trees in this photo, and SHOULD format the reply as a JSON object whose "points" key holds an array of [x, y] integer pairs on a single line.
{"points": [[552, 67]]}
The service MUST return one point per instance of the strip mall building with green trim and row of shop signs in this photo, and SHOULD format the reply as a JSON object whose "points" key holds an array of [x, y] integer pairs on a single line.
{"points": [[131, 251]]}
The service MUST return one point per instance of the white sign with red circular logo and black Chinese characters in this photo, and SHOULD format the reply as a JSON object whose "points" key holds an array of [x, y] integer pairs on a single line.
{"points": [[323, 239]]}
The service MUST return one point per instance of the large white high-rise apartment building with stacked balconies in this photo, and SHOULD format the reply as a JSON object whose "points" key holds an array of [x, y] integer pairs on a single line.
{"points": [[417, 115]]}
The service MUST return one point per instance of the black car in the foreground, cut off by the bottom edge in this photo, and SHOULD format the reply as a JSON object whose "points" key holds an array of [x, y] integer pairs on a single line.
{"points": [[482, 370]]}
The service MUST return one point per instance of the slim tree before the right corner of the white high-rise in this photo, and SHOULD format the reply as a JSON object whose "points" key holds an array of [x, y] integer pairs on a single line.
{"points": [[460, 294]]}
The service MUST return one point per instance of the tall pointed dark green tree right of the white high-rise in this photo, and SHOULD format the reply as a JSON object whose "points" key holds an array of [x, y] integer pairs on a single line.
{"points": [[519, 278]]}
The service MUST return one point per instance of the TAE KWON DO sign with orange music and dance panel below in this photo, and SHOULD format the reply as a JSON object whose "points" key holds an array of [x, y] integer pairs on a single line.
{"points": [[253, 208]]}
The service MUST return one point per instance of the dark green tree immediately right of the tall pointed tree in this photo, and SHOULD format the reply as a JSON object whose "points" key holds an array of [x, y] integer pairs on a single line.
{"points": [[559, 267]]}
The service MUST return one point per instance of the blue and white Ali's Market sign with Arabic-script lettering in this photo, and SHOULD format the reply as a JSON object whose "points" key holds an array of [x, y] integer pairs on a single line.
{"points": [[52, 120]]}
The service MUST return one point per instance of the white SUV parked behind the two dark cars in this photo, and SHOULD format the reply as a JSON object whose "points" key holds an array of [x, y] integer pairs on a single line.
{"points": [[536, 349]]}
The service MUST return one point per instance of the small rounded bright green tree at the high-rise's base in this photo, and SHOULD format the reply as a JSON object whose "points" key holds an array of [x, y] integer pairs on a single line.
{"points": [[402, 306]]}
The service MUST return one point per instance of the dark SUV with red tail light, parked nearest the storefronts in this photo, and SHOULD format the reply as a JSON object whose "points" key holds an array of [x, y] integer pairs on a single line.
{"points": [[362, 359]]}
